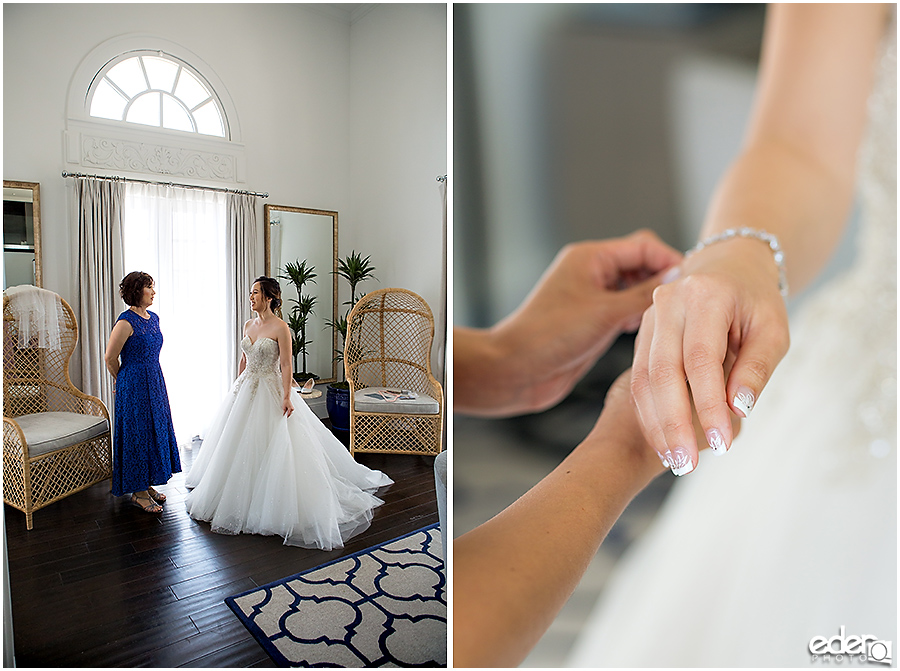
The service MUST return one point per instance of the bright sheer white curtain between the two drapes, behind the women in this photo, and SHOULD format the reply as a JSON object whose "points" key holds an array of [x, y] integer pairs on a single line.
{"points": [[179, 236]]}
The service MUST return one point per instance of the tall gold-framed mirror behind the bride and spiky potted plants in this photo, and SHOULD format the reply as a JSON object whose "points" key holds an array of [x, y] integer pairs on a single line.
{"points": [[294, 235]]}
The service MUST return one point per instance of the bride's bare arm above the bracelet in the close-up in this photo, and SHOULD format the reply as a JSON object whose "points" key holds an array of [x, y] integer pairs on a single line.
{"points": [[795, 175]]}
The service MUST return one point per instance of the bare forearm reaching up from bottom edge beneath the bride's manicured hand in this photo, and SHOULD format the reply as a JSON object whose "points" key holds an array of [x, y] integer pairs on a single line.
{"points": [[514, 573]]}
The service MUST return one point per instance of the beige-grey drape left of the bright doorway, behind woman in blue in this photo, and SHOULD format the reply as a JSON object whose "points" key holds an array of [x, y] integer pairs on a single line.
{"points": [[100, 264]]}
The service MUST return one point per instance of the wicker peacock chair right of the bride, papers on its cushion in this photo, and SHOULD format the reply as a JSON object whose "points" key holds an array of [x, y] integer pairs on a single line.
{"points": [[388, 350]]}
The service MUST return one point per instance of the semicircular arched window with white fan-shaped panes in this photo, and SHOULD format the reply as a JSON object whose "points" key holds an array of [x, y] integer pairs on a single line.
{"points": [[155, 89]]}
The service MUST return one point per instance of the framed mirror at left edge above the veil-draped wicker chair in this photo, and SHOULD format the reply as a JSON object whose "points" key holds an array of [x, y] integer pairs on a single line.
{"points": [[21, 233]]}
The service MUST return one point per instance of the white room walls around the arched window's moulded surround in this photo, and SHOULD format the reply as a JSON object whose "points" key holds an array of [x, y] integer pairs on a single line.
{"points": [[287, 69]]}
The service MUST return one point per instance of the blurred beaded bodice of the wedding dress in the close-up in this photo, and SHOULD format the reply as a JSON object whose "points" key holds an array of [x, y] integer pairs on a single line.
{"points": [[853, 320]]}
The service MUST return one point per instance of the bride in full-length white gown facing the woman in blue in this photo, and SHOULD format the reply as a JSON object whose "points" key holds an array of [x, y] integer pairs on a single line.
{"points": [[268, 465]]}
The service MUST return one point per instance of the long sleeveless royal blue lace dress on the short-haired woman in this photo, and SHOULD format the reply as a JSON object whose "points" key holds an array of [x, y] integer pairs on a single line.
{"points": [[145, 451]]}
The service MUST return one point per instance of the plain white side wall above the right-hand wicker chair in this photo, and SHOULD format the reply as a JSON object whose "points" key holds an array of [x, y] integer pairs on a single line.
{"points": [[398, 122]]}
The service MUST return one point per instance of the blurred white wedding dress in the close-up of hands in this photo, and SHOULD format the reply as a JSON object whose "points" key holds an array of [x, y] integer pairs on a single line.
{"points": [[793, 533]]}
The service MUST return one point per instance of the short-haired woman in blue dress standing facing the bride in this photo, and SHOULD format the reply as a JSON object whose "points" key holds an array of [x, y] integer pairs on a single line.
{"points": [[145, 451]]}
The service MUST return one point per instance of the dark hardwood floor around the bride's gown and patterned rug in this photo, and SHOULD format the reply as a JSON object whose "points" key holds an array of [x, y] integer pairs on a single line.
{"points": [[99, 583]]}
